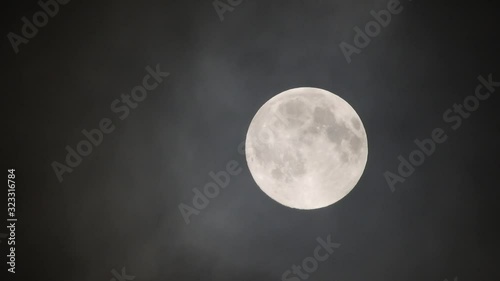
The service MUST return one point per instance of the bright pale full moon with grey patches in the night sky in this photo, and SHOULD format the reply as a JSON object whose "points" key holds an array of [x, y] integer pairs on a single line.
{"points": [[306, 148]]}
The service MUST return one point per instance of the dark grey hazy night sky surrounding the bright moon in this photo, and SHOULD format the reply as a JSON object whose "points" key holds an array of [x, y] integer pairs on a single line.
{"points": [[119, 207]]}
